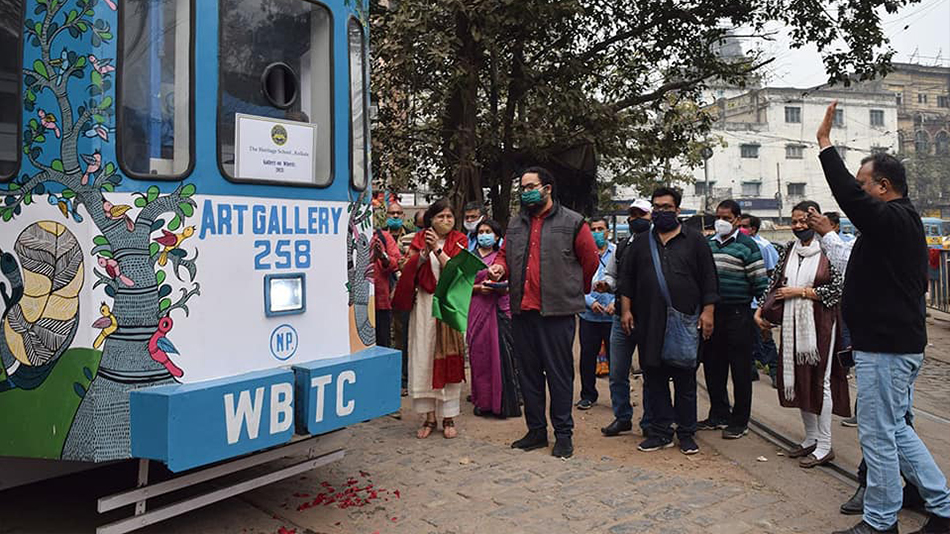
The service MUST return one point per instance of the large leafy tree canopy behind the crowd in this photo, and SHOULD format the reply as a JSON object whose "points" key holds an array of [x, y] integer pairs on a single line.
{"points": [[470, 91]]}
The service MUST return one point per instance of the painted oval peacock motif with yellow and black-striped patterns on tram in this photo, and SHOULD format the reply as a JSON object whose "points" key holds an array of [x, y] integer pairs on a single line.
{"points": [[41, 311]]}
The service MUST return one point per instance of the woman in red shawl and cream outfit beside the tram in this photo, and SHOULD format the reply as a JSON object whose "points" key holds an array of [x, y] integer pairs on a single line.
{"points": [[436, 351]]}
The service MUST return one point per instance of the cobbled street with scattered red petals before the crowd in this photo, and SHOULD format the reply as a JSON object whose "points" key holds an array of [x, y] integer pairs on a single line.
{"points": [[391, 482]]}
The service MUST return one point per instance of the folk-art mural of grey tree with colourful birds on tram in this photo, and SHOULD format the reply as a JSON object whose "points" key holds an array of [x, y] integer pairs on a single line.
{"points": [[63, 401]]}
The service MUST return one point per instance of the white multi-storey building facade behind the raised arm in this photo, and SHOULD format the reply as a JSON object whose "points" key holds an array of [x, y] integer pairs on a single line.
{"points": [[768, 160]]}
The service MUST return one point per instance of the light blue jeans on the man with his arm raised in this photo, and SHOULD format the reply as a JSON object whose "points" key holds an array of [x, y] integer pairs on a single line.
{"points": [[889, 444]]}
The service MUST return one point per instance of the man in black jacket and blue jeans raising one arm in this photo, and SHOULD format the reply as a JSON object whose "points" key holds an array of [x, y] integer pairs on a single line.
{"points": [[884, 309]]}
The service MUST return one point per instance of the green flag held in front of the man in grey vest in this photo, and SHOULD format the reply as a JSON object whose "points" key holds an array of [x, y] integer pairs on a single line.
{"points": [[454, 292]]}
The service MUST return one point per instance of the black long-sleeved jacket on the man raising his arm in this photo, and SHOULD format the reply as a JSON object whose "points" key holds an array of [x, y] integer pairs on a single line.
{"points": [[886, 279]]}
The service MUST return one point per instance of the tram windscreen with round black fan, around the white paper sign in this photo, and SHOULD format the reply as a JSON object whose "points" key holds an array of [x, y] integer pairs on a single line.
{"points": [[256, 37]]}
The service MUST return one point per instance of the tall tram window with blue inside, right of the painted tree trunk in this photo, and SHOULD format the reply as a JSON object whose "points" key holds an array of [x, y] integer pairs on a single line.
{"points": [[155, 116]]}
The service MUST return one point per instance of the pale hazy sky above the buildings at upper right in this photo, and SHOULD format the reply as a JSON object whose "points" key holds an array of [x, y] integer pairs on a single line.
{"points": [[928, 33]]}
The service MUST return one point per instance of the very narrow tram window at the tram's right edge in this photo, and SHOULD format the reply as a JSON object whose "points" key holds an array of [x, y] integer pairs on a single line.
{"points": [[358, 164]]}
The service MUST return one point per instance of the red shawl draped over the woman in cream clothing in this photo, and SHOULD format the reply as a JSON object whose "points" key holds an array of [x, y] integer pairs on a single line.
{"points": [[449, 360]]}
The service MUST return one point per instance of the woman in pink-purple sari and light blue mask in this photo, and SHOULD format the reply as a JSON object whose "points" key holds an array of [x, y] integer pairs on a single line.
{"points": [[494, 379]]}
